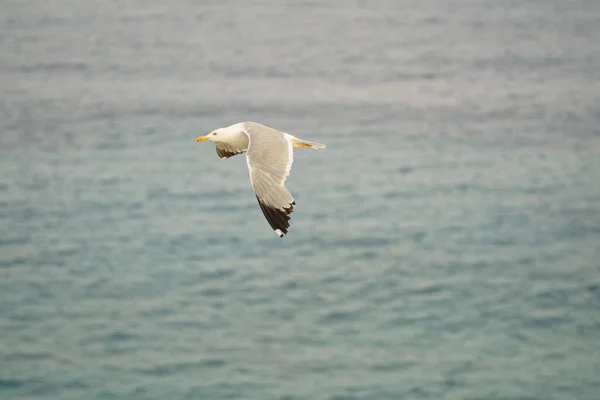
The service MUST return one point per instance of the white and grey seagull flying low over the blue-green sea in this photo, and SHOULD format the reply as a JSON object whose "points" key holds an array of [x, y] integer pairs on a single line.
{"points": [[269, 155]]}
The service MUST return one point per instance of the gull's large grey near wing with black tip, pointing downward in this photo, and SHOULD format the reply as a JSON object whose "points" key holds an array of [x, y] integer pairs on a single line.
{"points": [[270, 157]]}
